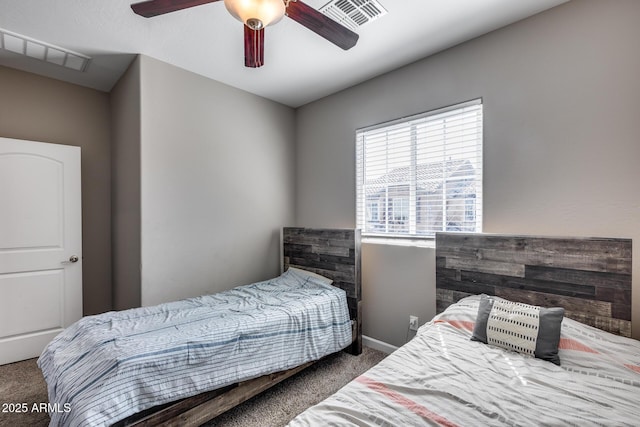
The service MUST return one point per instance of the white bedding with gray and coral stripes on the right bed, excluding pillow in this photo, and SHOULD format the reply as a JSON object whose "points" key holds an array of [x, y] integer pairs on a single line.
{"points": [[441, 377]]}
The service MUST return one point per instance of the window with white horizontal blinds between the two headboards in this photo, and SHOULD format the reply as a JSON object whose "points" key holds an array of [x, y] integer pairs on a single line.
{"points": [[422, 174]]}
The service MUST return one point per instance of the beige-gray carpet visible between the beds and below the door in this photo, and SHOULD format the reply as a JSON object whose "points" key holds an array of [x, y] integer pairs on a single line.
{"points": [[22, 382]]}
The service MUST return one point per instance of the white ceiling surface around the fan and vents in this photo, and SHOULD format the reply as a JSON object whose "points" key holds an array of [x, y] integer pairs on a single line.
{"points": [[299, 65]]}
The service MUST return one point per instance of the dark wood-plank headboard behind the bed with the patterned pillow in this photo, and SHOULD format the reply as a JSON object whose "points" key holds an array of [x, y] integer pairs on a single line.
{"points": [[589, 277]]}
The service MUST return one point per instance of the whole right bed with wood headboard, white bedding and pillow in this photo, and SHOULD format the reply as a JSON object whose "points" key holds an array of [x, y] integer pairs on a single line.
{"points": [[535, 358]]}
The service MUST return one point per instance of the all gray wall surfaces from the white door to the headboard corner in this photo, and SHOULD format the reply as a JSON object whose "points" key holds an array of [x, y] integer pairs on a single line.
{"points": [[209, 168]]}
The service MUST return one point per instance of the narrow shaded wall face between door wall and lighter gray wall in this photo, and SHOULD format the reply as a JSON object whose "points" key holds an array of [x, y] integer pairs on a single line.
{"points": [[125, 191]]}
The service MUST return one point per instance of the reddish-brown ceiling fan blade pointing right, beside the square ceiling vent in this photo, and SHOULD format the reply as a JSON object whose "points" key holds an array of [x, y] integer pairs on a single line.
{"points": [[321, 24]]}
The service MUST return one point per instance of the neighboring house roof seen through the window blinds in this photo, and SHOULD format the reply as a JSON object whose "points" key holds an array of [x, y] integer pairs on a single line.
{"points": [[429, 176]]}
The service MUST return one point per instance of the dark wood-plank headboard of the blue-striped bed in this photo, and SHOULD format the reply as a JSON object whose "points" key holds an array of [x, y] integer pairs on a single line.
{"points": [[333, 253]]}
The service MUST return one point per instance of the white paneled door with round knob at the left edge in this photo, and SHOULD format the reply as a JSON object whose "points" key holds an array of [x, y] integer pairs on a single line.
{"points": [[40, 245]]}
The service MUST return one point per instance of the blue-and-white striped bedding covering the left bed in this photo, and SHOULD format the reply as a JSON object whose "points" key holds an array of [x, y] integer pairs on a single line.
{"points": [[109, 366]]}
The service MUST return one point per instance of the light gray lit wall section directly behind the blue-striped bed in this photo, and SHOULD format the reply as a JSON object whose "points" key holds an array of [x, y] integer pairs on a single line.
{"points": [[217, 183]]}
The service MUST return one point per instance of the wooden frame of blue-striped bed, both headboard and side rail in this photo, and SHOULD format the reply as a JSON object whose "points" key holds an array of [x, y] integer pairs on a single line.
{"points": [[333, 253]]}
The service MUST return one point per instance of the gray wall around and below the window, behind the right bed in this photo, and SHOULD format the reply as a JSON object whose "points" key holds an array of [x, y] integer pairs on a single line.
{"points": [[560, 93]]}
